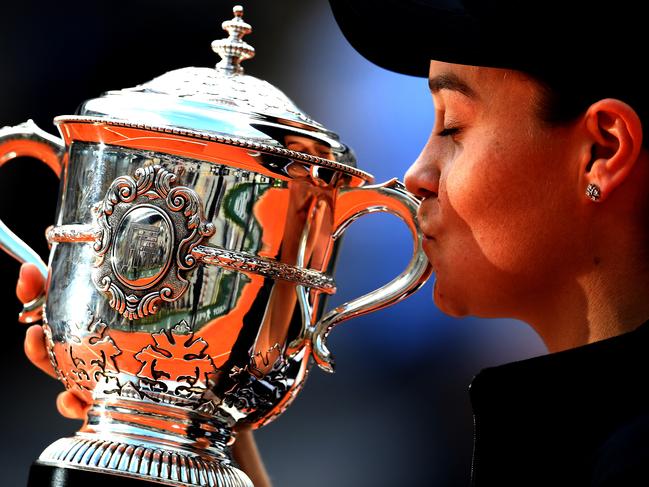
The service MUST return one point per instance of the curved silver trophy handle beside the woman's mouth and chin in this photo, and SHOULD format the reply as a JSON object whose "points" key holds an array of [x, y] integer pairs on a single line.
{"points": [[353, 203]]}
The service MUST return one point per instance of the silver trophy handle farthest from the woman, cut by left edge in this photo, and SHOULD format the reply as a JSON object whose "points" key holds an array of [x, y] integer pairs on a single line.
{"points": [[27, 139]]}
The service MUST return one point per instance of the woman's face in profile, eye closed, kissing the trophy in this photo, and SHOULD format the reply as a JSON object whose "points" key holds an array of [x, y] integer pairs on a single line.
{"points": [[501, 193]]}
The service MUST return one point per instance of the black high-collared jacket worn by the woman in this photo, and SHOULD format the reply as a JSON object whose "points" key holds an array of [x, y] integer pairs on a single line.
{"points": [[573, 418]]}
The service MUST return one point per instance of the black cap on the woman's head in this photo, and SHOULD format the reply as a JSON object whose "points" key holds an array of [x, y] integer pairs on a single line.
{"points": [[577, 46]]}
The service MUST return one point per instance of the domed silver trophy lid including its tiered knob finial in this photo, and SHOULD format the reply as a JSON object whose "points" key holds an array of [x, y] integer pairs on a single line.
{"points": [[225, 103]]}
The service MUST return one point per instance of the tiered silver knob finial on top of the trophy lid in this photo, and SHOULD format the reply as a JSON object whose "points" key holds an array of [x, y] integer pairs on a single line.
{"points": [[233, 49]]}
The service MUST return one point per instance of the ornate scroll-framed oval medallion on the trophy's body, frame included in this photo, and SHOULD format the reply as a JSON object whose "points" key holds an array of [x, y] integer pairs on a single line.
{"points": [[147, 231]]}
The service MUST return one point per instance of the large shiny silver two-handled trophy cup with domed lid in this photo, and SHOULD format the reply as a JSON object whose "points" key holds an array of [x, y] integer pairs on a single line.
{"points": [[199, 219]]}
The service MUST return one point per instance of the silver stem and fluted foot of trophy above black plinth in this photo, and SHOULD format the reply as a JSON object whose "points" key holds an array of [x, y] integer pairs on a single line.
{"points": [[150, 443]]}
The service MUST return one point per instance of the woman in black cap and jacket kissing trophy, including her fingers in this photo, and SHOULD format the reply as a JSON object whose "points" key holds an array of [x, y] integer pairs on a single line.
{"points": [[534, 205]]}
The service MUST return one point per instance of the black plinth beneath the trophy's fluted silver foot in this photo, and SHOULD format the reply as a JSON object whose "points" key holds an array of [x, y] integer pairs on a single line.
{"points": [[42, 475]]}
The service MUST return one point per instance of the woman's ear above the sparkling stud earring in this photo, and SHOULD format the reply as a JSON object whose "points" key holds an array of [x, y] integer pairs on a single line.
{"points": [[616, 141]]}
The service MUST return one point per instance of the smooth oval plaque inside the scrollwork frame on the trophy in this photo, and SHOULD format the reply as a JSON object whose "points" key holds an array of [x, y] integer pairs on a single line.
{"points": [[143, 247]]}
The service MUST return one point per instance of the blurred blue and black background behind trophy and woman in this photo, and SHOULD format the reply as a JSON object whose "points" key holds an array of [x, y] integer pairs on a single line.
{"points": [[397, 411]]}
